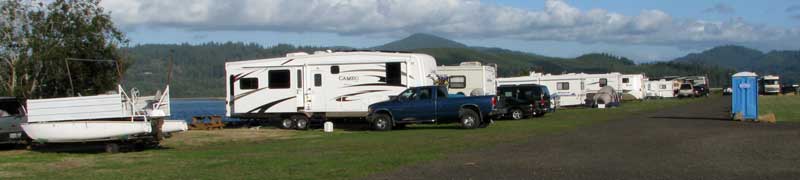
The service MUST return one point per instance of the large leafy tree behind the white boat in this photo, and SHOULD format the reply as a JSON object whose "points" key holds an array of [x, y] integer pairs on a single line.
{"points": [[37, 38]]}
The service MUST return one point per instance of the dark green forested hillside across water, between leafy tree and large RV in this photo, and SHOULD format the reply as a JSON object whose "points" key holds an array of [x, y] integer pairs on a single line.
{"points": [[198, 70]]}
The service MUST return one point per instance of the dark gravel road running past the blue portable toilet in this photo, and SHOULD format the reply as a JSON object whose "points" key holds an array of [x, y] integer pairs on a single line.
{"points": [[695, 141]]}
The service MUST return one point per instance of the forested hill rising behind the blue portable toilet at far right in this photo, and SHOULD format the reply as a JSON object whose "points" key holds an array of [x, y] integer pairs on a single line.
{"points": [[783, 63]]}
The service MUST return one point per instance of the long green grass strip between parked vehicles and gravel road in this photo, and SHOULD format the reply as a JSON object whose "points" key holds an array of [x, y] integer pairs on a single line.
{"points": [[286, 154]]}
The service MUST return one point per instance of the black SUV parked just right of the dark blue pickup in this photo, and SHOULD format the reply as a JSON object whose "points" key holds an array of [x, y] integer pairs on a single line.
{"points": [[521, 101]]}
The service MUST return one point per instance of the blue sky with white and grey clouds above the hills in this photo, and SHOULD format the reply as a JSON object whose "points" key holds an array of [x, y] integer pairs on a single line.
{"points": [[642, 30]]}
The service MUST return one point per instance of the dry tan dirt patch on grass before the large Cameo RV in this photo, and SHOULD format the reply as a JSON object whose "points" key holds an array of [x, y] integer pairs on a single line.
{"points": [[199, 138]]}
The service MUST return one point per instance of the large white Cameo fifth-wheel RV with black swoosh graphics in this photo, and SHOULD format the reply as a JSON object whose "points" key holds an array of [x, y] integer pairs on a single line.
{"points": [[301, 86]]}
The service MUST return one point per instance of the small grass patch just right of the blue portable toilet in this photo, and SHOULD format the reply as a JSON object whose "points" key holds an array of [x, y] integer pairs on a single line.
{"points": [[784, 107]]}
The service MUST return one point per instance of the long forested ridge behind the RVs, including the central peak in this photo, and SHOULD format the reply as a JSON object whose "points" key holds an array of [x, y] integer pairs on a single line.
{"points": [[198, 70]]}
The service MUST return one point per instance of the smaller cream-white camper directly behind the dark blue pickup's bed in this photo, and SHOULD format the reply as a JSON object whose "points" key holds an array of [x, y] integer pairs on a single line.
{"points": [[470, 78]]}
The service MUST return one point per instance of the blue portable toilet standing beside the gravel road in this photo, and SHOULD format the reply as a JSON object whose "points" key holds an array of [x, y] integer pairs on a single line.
{"points": [[745, 95]]}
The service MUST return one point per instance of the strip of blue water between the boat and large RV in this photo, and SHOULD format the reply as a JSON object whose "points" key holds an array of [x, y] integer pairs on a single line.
{"points": [[185, 109]]}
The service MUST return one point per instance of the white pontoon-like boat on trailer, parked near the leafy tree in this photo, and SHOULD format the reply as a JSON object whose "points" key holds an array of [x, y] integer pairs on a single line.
{"points": [[117, 117]]}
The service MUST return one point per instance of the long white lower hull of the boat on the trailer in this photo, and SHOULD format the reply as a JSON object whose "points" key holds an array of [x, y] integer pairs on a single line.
{"points": [[84, 131]]}
